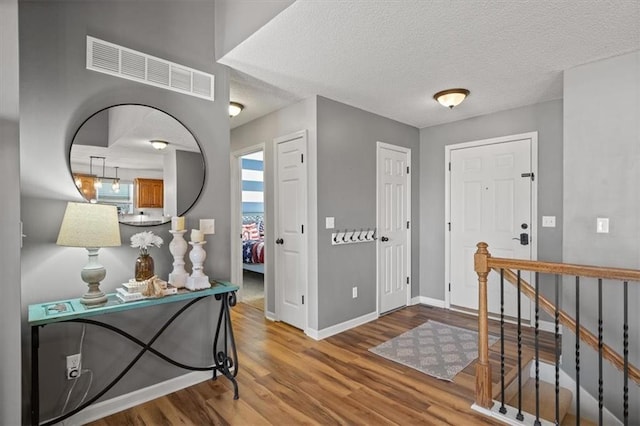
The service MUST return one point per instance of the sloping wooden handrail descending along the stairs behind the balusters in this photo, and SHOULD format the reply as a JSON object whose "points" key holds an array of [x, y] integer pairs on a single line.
{"points": [[585, 335]]}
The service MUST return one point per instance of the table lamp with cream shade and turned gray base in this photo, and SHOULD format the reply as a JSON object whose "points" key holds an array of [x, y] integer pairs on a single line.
{"points": [[90, 226]]}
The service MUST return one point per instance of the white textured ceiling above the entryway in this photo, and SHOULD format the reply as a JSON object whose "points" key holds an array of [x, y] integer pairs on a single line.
{"points": [[390, 57]]}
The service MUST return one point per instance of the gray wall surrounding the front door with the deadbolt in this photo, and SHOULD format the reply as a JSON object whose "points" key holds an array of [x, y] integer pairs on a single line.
{"points": [[546, 119]]}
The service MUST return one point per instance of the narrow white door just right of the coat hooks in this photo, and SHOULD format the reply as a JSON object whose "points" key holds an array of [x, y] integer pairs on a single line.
{"points": [[394, 215]]}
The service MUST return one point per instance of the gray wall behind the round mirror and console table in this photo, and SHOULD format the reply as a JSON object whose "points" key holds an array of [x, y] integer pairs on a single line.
{"points": [[57, 94]]}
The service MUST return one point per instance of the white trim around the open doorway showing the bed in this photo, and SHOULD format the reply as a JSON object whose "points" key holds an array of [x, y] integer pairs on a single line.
{"points": [[236, 212]]}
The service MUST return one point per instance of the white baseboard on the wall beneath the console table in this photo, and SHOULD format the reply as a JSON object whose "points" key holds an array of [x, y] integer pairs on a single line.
{"points": [[140, 396]]}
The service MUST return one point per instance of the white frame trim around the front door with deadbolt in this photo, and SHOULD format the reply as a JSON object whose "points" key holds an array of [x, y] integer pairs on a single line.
{"points": [[533, 240]]}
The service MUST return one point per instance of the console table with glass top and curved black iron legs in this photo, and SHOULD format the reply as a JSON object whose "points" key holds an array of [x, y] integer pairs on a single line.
{"points": [[225, 359]]}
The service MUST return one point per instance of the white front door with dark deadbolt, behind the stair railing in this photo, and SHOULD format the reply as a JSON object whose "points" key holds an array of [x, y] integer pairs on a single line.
{"points": [[491, 199]]}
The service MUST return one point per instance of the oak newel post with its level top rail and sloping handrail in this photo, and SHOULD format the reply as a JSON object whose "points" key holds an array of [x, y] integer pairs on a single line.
{"points": [[484, 263]]}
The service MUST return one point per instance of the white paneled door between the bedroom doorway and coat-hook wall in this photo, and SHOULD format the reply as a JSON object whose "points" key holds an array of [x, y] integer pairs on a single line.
{"points": [[291, 216]]}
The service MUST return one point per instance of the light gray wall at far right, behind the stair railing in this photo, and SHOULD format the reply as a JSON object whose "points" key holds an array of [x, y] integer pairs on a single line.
{"points": [[601, 175]]}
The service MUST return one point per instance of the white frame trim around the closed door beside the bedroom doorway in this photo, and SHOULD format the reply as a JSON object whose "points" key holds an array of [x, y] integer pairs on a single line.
{"points": [[291, 136]]}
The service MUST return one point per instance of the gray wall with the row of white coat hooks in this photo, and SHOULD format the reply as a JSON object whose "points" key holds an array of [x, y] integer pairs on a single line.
{"points": [[347, 139]]}
